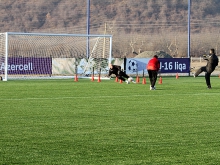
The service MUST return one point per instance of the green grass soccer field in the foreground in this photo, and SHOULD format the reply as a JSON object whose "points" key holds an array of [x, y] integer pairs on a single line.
{"points": [[91, 123]]}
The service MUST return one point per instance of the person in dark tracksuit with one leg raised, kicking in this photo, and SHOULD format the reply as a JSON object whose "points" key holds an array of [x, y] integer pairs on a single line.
{"points": [[212, 62]]}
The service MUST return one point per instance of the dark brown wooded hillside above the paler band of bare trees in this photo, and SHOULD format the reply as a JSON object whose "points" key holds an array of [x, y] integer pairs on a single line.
{"points": [[27, 16]]}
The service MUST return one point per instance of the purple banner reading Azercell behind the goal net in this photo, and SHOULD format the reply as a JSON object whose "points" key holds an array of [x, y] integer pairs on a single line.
{"points": [[28, 65]]}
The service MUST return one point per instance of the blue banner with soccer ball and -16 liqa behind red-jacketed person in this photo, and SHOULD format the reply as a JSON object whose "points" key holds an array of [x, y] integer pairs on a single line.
{"points": [[167, 65]]}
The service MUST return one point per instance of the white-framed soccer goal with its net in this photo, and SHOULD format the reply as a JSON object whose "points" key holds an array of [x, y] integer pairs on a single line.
{"points": [[42, 55]]}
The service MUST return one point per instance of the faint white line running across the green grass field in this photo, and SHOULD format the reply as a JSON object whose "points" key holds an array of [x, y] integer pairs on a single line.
{"points": [[90, 97]]}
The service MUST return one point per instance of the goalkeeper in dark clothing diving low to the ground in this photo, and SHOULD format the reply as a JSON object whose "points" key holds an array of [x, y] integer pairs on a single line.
{"points": [[115, 69]]}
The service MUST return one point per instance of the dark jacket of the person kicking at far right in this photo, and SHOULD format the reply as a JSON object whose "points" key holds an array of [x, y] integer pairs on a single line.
{"points": [[212, 62]]}
